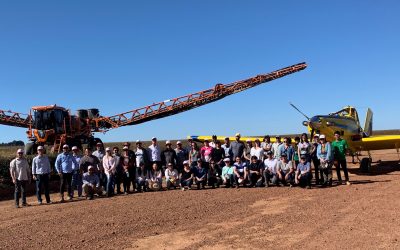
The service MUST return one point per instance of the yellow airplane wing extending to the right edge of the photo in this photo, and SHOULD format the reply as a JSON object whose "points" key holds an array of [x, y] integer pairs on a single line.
{"points": [[377, 143]]}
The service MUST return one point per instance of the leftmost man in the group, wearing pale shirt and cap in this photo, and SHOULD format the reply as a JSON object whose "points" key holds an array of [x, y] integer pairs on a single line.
{"points": [[20, 175]]}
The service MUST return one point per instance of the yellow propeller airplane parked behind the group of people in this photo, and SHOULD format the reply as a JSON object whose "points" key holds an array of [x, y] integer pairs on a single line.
{"points": [[345, 121]]}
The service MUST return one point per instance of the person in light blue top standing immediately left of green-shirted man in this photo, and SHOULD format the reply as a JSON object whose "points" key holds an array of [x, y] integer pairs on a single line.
{"points": [[324, 154]]}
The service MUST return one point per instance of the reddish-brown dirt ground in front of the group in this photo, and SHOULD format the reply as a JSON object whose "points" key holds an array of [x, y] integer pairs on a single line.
{"points": [[363, 215]]}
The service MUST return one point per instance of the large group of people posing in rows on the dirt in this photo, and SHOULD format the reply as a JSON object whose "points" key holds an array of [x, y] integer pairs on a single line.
{"points": [[230, 164]]}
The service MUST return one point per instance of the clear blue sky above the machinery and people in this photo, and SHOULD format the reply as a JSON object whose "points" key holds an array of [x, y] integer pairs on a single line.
{"points": [[121, 55]]}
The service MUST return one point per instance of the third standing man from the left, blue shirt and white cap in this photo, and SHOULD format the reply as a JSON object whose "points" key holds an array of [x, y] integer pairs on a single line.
{"points": [[64, 166]]}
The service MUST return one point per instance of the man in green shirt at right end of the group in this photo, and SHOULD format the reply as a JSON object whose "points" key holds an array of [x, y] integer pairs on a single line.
{"points": [[340, 148]]}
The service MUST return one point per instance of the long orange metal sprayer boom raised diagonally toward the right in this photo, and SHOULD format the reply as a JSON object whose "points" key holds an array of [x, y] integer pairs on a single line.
{"points": [[184, 103]]}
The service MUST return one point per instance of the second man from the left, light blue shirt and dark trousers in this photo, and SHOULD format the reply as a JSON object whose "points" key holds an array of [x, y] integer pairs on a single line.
{"points": [[41, 172]]}
